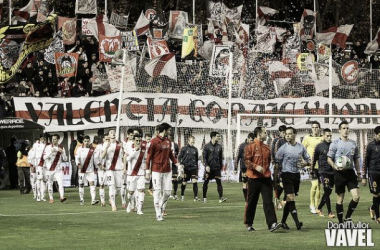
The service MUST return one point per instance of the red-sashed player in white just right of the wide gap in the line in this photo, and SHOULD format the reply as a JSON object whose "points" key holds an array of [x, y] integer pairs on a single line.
{"points": [[85, 161]]}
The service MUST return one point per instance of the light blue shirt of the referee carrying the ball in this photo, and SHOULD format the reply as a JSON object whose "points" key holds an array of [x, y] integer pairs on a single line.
{"points": [[347, 148]]}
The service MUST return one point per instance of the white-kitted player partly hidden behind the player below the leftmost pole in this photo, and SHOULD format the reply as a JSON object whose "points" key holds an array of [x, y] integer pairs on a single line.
{"points": [[100, 163]]}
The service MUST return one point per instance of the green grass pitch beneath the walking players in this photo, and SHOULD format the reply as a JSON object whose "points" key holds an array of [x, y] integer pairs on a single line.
{"points": [[27, 224]]}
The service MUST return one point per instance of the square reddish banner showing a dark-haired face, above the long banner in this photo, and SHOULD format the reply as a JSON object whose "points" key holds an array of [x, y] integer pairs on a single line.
{"points": [[66, 64]]}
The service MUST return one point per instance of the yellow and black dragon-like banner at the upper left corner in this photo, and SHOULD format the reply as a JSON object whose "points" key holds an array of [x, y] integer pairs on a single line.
{"points": [[38, 37]]}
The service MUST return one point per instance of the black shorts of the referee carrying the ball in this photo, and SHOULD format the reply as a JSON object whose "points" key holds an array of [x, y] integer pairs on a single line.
{"points": [[345, 178]]}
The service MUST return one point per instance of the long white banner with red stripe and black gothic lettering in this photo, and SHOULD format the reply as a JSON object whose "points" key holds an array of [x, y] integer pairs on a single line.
{"points": [[150, 109]]}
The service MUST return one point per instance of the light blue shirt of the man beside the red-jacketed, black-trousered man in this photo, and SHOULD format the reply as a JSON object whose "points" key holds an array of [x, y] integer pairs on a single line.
{"points": [[290, 156]]}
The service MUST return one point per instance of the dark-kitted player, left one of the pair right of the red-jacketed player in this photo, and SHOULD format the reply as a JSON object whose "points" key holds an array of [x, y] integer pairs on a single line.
{"points": [[188, 158]]}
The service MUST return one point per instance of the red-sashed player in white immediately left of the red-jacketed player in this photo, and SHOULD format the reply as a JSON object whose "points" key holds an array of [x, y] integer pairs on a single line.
{"points": [[136, 173]]}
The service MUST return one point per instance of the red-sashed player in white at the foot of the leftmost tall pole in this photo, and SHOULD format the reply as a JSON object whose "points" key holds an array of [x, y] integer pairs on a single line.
{"points": [[115, 169]]}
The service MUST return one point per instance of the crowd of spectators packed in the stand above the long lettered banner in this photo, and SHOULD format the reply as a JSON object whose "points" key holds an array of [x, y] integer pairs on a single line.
{"points": [[38, 78]]}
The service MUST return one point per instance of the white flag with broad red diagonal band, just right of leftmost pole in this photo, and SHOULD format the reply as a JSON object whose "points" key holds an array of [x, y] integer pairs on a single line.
{"points": [[162, 65]]}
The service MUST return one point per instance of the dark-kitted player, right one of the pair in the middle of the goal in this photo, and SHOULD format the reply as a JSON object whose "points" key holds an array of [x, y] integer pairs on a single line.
{"points": [[213, 162]]}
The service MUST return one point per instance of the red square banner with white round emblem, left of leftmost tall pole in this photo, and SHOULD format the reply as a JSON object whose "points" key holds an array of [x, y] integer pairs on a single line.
{"points": [[108, 46]]}
